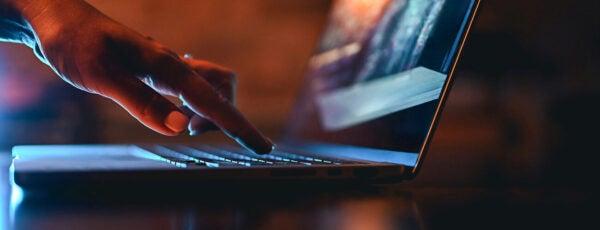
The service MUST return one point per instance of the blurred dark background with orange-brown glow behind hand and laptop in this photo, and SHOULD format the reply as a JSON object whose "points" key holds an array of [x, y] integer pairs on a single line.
{"points": [[521, 112]]}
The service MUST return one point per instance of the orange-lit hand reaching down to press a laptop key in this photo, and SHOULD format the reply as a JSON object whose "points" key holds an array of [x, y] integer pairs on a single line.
{"points": [[98, 55]]}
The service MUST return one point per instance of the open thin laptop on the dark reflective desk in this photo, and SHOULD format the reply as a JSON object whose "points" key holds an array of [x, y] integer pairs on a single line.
{"points": [[366, 112]]}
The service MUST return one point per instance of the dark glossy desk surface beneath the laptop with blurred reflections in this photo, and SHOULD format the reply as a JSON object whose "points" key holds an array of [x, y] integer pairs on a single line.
{"points": [[377, 207]]}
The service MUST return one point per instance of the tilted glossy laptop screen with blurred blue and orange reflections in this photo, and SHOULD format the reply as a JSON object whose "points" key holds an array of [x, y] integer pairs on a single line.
{"points": [[377, 74]]}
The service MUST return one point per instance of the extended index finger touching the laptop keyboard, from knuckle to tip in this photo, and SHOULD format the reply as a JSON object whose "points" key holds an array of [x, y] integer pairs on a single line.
{"points": [[170, 74]]}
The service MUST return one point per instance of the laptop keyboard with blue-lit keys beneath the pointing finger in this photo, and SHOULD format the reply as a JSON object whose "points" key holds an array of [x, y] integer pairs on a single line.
{"points": [[223, 156]]}
